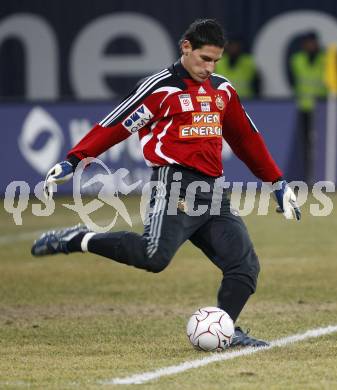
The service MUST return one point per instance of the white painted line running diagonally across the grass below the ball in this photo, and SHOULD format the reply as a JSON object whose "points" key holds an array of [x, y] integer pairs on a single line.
{"points": [[171, 370]]}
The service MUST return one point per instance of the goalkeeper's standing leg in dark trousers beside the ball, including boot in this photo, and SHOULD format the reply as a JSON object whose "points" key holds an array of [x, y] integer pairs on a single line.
{"points": [[225, 240]]}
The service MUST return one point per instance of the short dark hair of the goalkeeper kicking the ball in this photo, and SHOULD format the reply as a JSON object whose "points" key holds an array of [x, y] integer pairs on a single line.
{"points": [[204, 32]]}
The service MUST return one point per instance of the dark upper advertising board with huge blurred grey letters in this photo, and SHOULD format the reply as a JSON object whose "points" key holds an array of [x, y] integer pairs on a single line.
{"points": [[98, 49]]}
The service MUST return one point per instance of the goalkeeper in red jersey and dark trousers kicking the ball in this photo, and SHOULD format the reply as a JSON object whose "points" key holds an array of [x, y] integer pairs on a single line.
{"points": [[181, 115]]}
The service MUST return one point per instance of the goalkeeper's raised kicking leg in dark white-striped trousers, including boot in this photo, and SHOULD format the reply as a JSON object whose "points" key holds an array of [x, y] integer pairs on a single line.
{"points": [[151, 251]]}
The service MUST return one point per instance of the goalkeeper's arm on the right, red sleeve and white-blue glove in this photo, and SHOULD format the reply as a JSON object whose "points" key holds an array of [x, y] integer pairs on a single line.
{"points": [[247, 143]]}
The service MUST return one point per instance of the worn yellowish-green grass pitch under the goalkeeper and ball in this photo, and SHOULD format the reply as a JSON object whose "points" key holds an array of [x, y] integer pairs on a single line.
{"points": [[67, 322]]}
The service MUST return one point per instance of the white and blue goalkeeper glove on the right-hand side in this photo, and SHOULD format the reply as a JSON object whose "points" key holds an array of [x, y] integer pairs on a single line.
{"points": [[286, 200]]}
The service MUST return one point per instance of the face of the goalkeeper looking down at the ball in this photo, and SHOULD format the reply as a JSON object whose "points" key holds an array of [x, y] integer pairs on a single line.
{"points": [[200, 63]]}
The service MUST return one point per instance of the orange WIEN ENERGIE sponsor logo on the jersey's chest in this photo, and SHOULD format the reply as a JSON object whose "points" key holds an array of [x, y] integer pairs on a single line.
{"points": [[203, 125]]}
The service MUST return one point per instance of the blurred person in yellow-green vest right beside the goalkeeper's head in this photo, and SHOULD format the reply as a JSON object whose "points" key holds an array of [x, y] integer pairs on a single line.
{"points": [[239, 67]]}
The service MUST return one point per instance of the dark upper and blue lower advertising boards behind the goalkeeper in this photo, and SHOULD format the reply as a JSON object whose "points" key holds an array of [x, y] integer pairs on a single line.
{"points": [[63, 69]]}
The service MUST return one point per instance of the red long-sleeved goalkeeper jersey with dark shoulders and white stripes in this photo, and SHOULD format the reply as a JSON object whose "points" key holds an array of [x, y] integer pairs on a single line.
{"points": [[181, 121]]}
